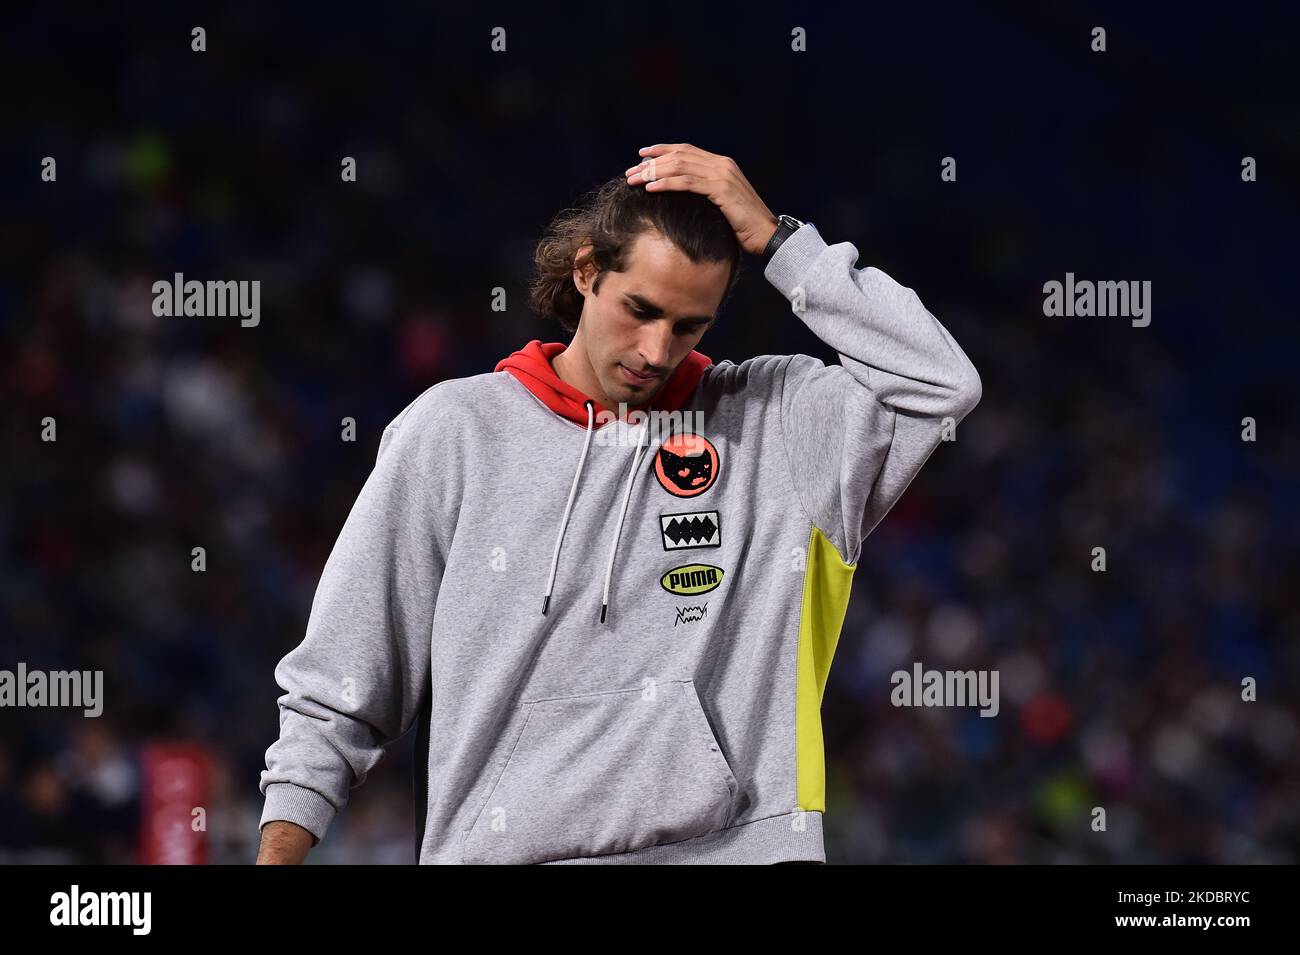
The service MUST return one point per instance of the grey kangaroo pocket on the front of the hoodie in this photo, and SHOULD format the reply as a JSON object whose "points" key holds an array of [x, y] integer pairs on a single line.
{"points": [[605, 772]]}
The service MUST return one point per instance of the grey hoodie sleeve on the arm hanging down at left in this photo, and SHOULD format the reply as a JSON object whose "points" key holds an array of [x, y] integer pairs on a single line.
{"points": [[358, 679]]}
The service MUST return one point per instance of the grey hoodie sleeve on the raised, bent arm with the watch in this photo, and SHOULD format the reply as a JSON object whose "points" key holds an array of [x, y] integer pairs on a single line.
{"points": [[857, 433]]}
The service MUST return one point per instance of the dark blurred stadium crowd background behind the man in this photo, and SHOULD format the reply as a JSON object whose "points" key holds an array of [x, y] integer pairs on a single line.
{"points": [[1120, 689]]}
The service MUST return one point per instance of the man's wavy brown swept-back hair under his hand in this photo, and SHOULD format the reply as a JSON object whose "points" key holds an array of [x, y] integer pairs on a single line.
{"points": [[610, 219]]}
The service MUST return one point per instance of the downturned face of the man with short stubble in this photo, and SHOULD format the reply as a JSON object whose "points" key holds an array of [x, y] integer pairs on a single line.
{"points": [[647, 319]]}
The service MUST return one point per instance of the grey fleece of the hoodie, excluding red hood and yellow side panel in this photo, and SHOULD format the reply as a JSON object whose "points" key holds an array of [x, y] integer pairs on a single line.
{"points": [[668, 733]]}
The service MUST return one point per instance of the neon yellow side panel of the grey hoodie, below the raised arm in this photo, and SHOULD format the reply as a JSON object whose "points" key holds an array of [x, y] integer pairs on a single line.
{"points": [[826, 598]]}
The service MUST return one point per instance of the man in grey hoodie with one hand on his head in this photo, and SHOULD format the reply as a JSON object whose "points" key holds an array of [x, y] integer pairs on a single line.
{"points": [[616, 650]]}
